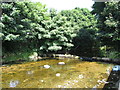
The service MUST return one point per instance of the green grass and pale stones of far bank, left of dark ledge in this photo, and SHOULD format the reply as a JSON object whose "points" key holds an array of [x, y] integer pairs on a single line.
{"points": [[17, 58]]}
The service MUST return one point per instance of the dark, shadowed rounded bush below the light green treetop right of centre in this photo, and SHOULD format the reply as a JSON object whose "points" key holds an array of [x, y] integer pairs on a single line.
{"points": [[85, 44]]}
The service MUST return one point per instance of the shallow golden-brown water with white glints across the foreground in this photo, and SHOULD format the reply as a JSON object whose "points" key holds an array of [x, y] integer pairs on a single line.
{"points": [[73, 74]]}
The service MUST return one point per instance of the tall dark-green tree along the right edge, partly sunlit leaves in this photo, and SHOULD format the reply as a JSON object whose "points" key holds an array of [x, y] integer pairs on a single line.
{"points": [[108, 14]]}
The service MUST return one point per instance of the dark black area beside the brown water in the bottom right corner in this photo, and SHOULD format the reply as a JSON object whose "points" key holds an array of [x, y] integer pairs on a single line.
{"points": [[114, 80]]}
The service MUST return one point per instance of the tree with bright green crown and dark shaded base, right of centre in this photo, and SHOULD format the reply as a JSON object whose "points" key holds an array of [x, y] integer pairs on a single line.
{"points": [[84, 25]]}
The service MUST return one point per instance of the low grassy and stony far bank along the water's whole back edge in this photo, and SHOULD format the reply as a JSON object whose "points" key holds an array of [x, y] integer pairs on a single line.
{"points": [[34, 56]]}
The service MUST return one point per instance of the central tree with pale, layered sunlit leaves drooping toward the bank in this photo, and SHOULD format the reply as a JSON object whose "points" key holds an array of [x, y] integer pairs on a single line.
{"points": [[57, 36]]}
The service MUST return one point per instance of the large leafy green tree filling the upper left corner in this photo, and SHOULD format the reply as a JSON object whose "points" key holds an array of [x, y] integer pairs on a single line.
{"points": [[20, 22]]}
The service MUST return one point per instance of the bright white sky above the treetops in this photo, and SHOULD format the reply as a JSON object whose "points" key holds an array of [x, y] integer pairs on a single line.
{"points": [[66, 4]]}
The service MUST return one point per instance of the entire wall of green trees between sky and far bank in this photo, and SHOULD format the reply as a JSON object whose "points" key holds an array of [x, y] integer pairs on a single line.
{"points": [[28, 26]]}
